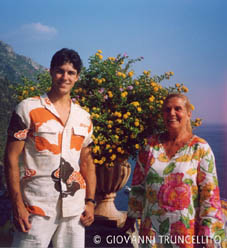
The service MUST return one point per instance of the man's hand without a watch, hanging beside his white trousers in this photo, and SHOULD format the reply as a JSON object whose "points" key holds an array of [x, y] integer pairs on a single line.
{"points": [[21, 218]]}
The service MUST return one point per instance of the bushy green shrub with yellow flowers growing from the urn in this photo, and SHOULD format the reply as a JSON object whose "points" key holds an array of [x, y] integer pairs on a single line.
{"points": [[124, 109]]}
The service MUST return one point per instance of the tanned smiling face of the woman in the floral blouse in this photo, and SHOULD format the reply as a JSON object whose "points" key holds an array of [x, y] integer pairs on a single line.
{"points": [[175, 114]]}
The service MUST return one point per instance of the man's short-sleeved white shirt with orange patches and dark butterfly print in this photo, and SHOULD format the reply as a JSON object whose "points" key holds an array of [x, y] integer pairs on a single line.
{"points": [[51, 155]]}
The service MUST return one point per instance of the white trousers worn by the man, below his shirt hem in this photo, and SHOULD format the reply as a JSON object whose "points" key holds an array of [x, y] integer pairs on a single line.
{"points": [[65, 232]]}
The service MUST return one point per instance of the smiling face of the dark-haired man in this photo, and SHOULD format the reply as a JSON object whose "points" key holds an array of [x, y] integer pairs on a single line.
{"points": [[64, 78]]}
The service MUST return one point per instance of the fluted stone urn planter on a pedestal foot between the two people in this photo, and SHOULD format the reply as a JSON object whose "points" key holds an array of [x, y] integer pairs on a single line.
{"points": [[109, 181]]}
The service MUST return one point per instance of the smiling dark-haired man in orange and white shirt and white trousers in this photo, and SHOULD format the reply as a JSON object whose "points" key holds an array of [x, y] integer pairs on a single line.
{"points": [[54, 198]]}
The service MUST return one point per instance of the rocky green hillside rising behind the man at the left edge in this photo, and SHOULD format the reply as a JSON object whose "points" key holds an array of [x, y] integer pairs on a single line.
{"points": [[12, 68]]}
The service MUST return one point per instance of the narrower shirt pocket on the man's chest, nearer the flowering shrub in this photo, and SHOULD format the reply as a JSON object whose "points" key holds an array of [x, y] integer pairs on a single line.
{"points": [[78, 136]]}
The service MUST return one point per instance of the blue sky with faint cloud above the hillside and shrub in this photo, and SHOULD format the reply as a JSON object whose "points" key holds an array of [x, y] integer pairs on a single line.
{"points": [[188, 37]]}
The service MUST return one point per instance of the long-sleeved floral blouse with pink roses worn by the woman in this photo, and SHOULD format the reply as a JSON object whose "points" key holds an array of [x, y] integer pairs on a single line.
{"points": [[177, 199]]}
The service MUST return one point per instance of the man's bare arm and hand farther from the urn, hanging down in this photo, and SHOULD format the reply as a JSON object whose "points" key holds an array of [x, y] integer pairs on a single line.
{"points": [[11, 162]]}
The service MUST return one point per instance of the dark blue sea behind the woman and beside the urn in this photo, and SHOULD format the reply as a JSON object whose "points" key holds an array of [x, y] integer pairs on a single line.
{"points": [[216, 136]]}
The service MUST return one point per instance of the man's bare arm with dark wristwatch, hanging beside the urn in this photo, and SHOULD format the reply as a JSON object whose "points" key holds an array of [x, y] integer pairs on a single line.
{"points": [[87, 169]]}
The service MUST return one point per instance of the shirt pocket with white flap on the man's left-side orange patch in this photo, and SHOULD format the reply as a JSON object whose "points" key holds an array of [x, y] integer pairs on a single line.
{"points": [[48, 140]]}
